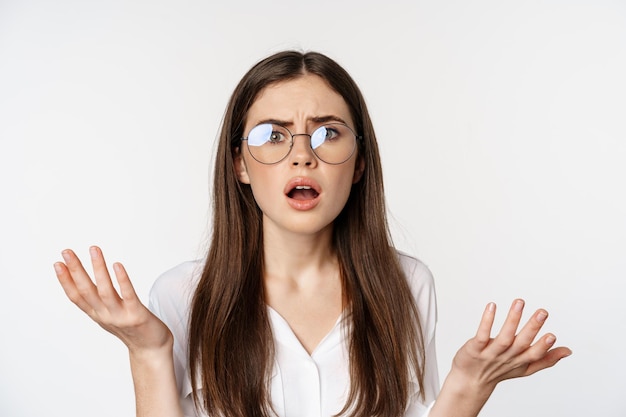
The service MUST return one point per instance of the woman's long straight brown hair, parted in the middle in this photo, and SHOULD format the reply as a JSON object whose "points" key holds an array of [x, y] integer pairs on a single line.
{"points": [[231, 349]]}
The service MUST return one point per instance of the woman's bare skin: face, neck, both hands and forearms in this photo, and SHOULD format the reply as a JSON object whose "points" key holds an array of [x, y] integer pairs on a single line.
{"points": [[302, 277]]}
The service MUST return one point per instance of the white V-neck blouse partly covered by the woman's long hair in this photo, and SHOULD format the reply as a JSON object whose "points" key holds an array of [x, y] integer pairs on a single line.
{"points": [[302, 385]]}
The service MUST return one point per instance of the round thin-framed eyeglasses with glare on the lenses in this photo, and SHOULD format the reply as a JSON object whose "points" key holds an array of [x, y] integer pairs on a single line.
{"points": [[332, 143]]}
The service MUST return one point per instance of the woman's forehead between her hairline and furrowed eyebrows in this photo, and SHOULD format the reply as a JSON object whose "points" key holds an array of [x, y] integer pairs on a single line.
{"points": [[298, 100]]}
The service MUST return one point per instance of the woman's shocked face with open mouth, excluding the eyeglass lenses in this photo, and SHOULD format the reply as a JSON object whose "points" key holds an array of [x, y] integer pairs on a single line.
{"points": [[300, 194]]}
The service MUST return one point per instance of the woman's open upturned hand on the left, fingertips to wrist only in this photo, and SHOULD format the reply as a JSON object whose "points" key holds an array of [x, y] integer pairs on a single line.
{"points": [[120, 314]]}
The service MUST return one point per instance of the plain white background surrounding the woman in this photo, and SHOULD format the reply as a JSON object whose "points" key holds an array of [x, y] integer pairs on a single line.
{"points": [[502, 128]]}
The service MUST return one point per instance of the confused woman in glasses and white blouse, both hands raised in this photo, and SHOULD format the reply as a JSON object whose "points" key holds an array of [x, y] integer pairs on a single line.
{"points": [[302, 306]]}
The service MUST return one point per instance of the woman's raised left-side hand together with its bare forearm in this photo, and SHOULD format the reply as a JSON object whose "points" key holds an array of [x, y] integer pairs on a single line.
{"points": [[148, 339]]}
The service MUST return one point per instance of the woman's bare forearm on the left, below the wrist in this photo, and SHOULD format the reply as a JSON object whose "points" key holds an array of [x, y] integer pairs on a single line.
{"points": [[155, 383]]}
